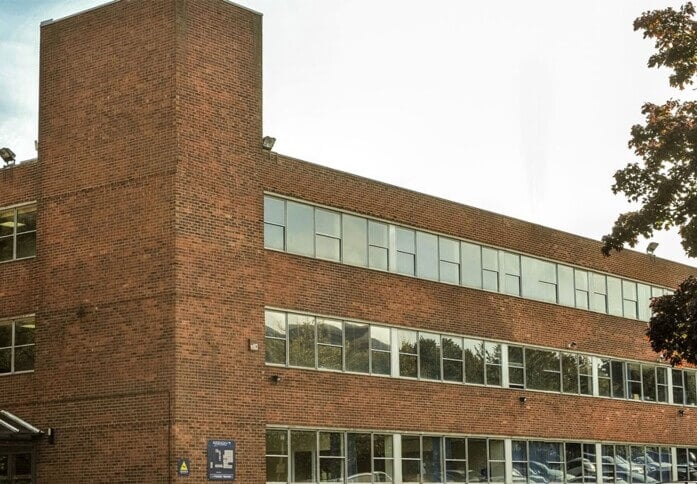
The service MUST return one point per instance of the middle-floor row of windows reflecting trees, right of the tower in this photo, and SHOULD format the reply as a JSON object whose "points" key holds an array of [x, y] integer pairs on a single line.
{"points": [[306, 341]]}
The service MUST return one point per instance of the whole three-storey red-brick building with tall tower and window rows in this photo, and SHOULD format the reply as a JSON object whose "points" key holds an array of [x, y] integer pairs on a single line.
{"points": [[168, 286]]}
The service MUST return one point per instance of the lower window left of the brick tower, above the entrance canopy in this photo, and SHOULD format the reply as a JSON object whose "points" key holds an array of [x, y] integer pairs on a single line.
{"points": [[17, 345]]}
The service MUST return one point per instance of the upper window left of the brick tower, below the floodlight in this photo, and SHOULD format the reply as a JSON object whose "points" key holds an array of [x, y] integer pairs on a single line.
{"points": [[17, 232]]}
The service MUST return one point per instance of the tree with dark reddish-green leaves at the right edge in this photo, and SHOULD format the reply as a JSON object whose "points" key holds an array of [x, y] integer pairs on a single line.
{"points": [[664, 183]]}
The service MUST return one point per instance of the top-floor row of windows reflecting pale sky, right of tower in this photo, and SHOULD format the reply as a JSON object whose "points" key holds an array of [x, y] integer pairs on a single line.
{"points": [[326, 234]]}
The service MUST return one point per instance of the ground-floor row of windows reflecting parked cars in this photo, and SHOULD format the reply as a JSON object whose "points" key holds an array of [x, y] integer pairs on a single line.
{"points": [[297, 455]]}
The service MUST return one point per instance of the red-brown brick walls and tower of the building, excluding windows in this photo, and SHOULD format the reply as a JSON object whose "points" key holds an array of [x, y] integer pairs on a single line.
{"points": [[151, 276]]}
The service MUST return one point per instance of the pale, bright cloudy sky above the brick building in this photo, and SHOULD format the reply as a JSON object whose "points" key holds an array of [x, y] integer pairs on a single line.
{"points": [[518, 107]]}
